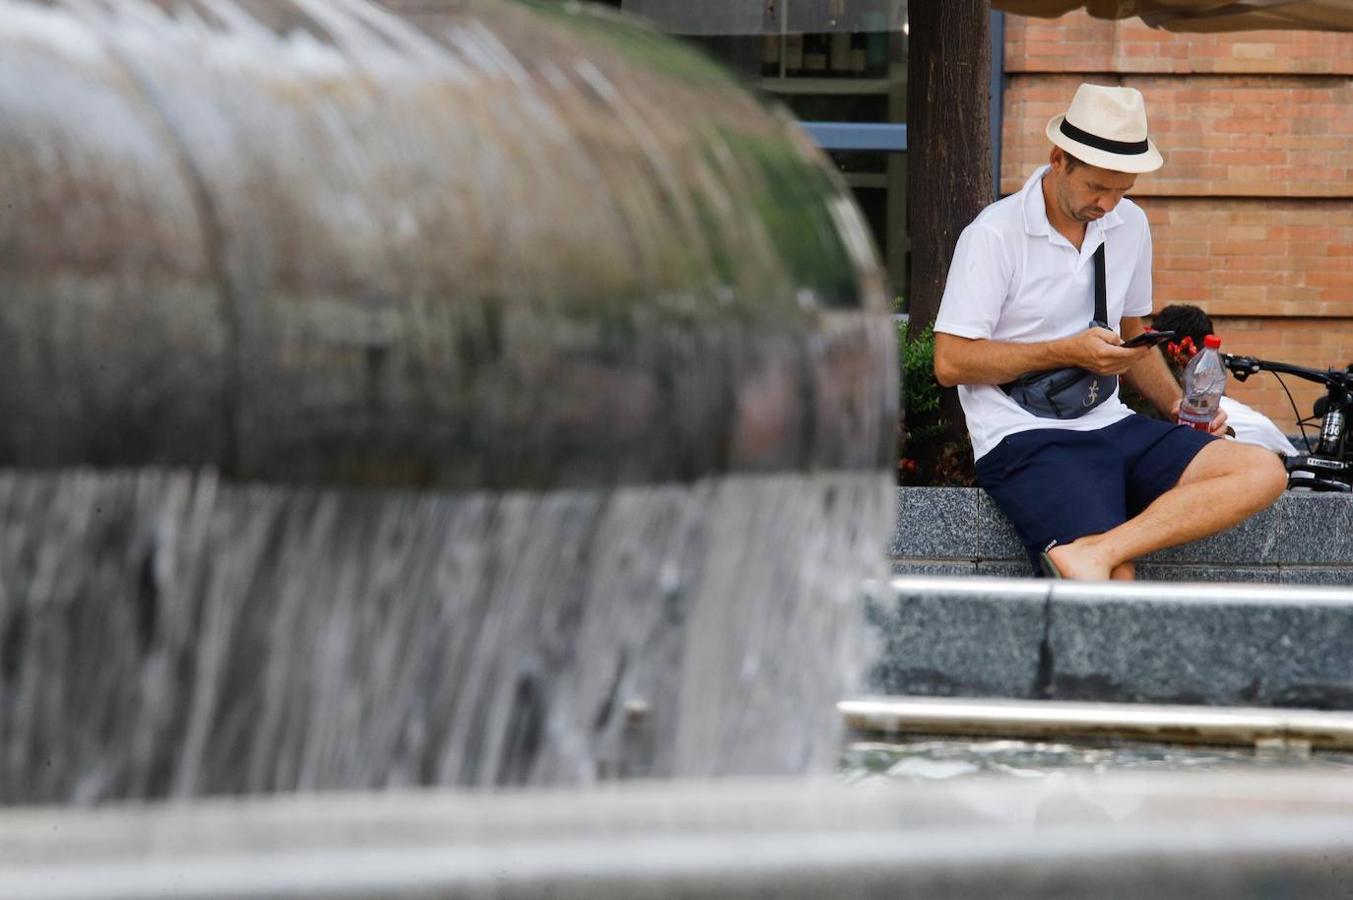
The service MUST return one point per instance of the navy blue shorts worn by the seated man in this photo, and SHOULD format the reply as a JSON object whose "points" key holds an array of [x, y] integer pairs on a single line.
{"points": [[1057, 485]]}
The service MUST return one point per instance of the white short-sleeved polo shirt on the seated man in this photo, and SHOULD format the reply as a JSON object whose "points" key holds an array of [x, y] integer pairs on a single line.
{"points": [[1017, 279]]}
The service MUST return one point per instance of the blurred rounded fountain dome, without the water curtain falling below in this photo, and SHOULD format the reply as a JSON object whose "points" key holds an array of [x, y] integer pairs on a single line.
{"points": [[370, 242]]}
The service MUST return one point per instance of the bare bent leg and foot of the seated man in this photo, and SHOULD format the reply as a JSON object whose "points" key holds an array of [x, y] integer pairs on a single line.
{"points": [[1225, 484]]}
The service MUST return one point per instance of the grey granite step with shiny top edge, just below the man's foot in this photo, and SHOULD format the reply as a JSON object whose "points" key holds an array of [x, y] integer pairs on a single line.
{"points": [[1267, 646]]}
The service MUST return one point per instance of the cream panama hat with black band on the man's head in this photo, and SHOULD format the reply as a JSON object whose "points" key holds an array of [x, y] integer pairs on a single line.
{"points": [[1107, 128]]}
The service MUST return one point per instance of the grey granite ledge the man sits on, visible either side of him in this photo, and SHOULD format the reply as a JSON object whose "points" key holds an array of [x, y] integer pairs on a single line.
{"points": [[1302, 539]]}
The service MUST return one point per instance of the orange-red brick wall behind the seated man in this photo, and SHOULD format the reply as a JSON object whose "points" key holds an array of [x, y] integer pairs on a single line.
{"points": [[1254, 212]]}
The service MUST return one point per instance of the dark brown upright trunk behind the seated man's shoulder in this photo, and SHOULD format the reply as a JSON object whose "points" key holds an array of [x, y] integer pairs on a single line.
{"points": [[950, 162]]}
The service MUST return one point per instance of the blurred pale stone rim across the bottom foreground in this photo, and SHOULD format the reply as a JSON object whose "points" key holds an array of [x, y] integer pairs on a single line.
{"points": [[1167, 836]]}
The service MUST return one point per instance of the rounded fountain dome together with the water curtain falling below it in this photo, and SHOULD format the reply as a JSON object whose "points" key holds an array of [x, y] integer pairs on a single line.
{"points": [[420, 393]]}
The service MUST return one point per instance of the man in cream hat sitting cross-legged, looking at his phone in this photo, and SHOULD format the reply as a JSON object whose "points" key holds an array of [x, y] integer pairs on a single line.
{"points": [[1088, 485]]}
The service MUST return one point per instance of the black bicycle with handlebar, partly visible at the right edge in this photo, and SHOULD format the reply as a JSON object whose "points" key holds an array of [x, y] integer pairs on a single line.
{"points": [[1328, 466]]}
